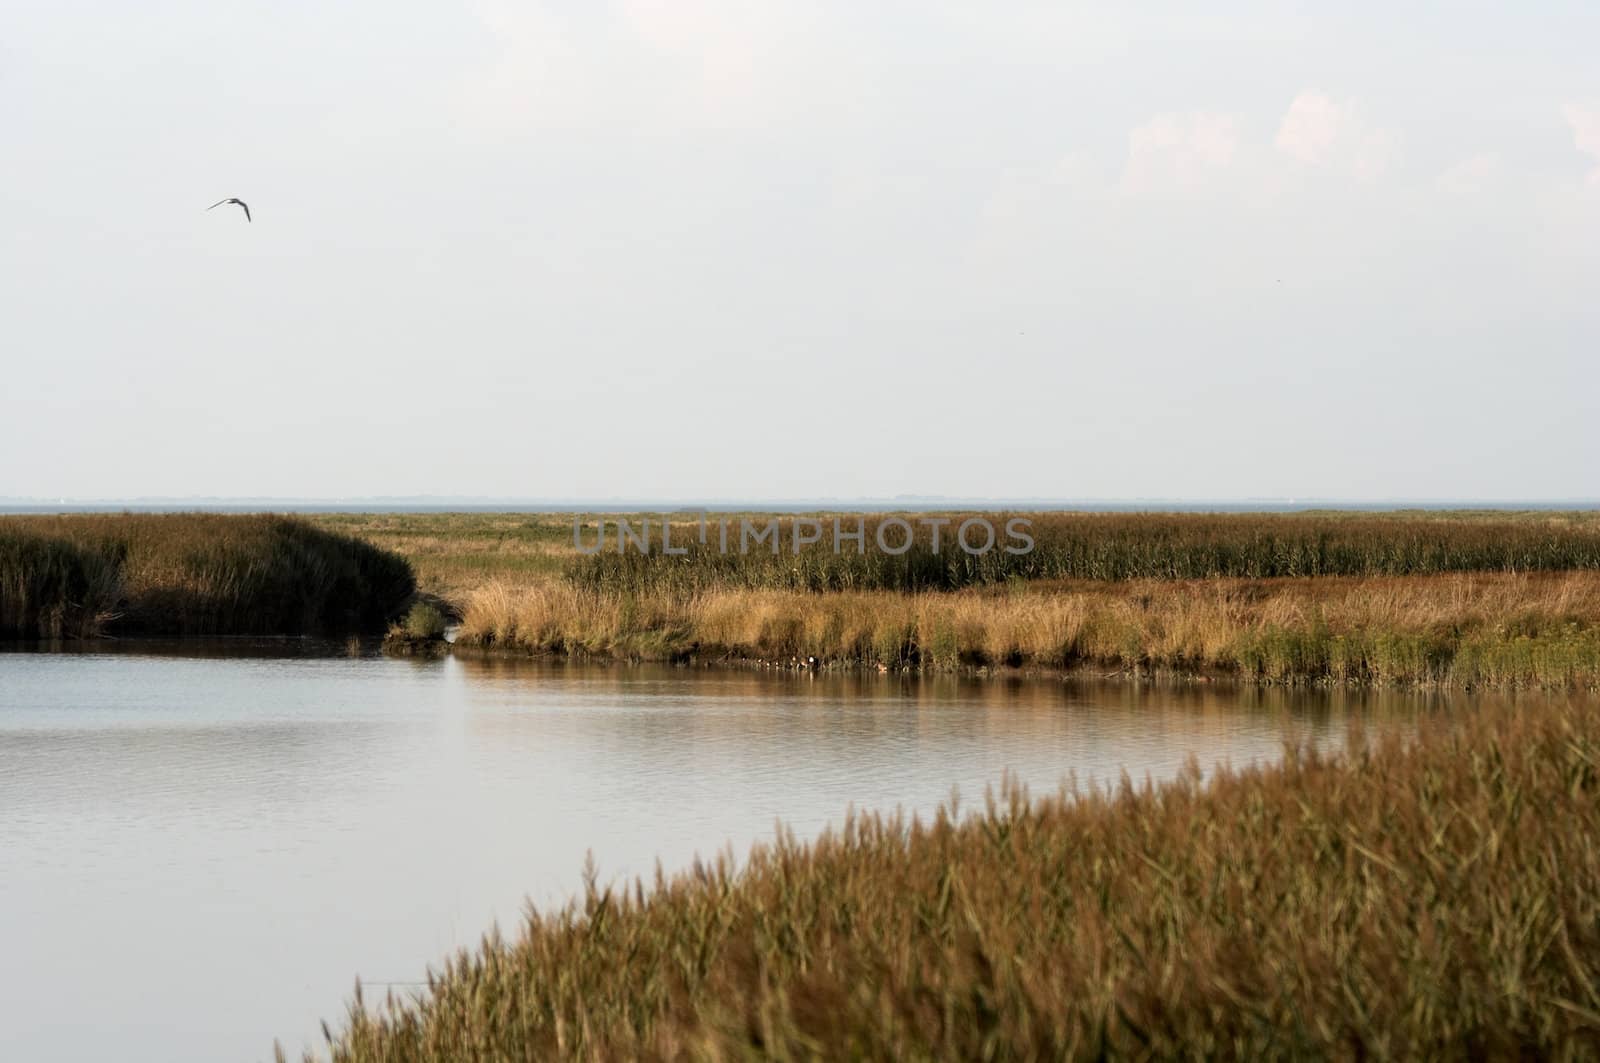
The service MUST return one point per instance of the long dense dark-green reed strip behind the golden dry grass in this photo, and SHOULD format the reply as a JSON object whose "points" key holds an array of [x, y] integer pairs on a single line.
{"points": [[1084, 547]]}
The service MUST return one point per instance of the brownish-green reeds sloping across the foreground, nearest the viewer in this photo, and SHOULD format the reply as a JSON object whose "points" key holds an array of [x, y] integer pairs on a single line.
{"points": [[1436, 899]]}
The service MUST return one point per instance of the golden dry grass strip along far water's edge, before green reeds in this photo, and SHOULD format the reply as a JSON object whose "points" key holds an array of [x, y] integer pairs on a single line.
{"points": [[1454, 630]]}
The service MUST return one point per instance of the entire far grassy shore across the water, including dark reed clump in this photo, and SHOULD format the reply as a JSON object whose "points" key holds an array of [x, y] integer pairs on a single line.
{"points": [[1391, 600]]}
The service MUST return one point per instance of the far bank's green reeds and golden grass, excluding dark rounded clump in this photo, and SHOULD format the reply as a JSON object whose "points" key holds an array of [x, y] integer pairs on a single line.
{"points": [[1449, 600]]}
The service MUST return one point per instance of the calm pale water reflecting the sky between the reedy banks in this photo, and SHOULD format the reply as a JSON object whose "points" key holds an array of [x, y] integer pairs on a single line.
{"points": [[201, 854]]}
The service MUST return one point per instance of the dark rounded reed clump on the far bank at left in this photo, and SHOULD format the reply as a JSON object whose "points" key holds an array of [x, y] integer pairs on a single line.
{"points": [[191, 576]]}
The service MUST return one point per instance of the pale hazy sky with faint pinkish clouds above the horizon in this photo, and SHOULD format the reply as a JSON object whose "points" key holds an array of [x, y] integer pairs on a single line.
{"points": [[777, 251]]}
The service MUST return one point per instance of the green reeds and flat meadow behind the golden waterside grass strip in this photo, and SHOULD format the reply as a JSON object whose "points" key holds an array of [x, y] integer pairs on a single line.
{"points": [[458, 553]]}
